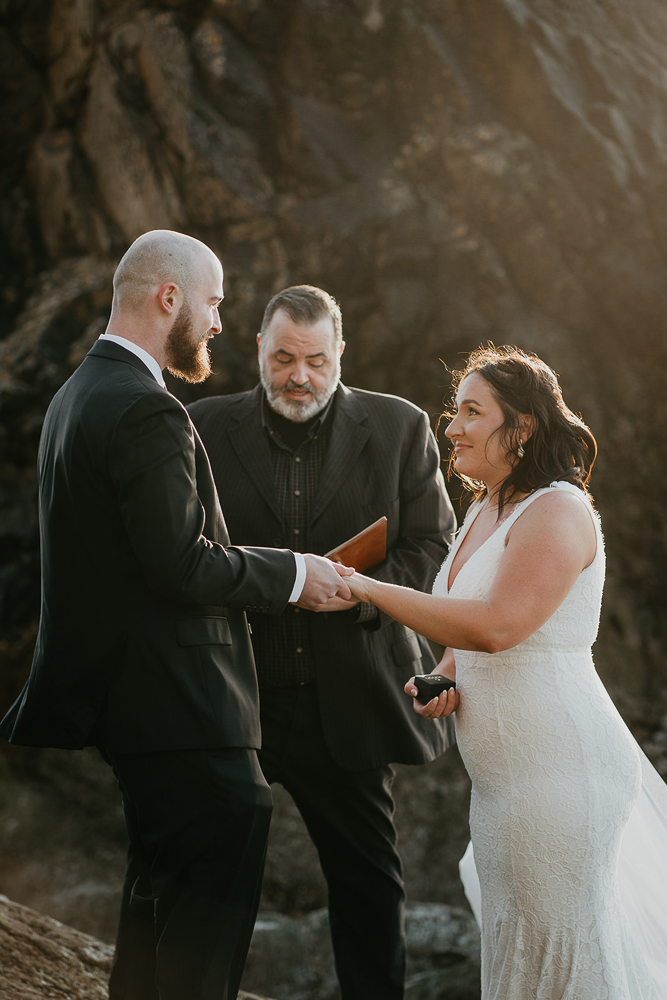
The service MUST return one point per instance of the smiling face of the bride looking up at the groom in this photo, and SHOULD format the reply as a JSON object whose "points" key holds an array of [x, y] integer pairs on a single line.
{"points": [[477, 434]]}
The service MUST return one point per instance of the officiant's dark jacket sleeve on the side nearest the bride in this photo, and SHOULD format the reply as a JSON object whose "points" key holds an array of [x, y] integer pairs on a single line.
{"points": [[426, 517]]}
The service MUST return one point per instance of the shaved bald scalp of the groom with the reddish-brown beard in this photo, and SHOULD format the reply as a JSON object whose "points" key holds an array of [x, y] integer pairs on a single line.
{"points": [[154, 259]]}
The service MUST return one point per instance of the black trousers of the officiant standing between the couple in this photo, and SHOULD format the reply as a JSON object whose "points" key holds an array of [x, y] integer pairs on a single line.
{"points": [[349, 816]]}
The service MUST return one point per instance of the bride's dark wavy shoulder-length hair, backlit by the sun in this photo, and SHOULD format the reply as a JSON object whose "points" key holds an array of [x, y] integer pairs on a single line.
{"points": [[561, 447]]}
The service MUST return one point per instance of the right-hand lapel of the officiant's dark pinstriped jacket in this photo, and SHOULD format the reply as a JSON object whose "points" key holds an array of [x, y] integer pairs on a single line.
{"points": [[348, 437]]}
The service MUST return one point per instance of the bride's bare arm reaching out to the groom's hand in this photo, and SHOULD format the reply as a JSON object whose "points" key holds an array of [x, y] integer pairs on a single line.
{"points": [[547, 548]]}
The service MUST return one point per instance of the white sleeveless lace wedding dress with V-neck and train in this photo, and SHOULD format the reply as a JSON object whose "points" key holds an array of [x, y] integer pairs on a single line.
{"points": [[556, 775]]}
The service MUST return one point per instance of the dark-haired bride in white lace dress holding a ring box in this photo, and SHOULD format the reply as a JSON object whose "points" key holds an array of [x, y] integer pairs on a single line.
{"points": [[555, 773]]}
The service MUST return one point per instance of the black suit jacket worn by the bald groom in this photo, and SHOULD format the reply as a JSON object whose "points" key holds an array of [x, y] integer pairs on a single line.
{"points": [[143, 642]]}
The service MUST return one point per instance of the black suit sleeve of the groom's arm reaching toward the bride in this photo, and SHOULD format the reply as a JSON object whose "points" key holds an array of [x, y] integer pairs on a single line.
{"points": [[151, 462]]}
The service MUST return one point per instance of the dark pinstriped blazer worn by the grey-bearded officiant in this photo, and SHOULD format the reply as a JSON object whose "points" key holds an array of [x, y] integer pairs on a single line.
{"points": [[382, 459]]}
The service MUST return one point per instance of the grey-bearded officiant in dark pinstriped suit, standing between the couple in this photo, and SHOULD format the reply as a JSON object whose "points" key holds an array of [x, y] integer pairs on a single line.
{"points": [[303, 462]]}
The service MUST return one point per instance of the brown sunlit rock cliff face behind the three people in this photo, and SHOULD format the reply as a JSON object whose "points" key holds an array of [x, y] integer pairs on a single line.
{"points": [[452, 171]]}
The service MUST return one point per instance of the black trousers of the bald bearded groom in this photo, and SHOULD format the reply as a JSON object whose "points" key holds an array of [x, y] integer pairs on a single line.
{"points": [[198, 824]]}
